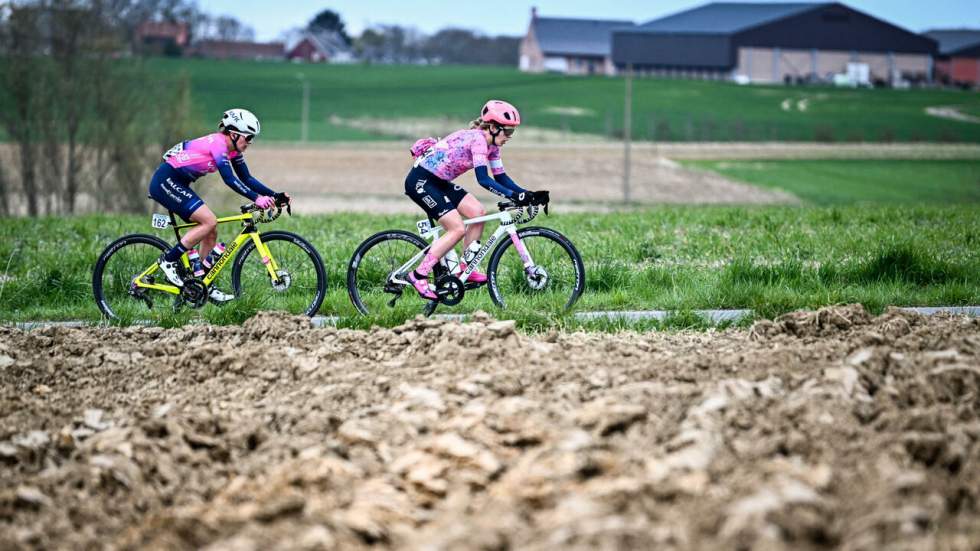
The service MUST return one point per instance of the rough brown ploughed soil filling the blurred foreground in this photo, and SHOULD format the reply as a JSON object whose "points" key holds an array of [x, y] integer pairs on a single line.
{"points": [[829, 429]]}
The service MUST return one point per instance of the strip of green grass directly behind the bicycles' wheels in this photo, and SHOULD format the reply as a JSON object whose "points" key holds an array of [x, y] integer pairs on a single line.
{"points": [[769, 259]]}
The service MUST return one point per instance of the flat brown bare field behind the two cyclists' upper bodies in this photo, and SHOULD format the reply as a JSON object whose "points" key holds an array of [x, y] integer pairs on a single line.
{"points": [[583, 176]]}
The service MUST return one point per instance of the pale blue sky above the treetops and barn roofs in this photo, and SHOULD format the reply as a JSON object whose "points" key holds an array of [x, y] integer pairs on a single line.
{"points": [[510, 17]]}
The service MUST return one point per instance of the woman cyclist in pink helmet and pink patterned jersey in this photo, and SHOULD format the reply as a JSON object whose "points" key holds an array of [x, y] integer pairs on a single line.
{"points": [[438, 163]]}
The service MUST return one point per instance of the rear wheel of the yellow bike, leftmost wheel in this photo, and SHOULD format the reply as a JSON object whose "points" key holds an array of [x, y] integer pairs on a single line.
{"points": [[115, 270]]}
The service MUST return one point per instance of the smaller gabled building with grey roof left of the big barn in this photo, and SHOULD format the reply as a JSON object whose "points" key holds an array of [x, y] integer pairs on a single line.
{"points": [[573, 46]]}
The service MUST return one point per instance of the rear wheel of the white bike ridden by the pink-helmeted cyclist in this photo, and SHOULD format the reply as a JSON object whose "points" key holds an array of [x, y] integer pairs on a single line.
{"points": [[373, 263]]}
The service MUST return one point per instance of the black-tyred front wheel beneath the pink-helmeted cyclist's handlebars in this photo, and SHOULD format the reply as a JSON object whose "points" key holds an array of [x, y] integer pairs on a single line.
{"points": [[569, 280]]}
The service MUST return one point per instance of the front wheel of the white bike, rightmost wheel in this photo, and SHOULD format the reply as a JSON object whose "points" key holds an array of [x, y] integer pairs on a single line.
{"points": [[554, 281]]}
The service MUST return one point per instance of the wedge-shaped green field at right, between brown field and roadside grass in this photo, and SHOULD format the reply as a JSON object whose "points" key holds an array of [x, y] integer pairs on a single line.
{"points": [[860, 181]]}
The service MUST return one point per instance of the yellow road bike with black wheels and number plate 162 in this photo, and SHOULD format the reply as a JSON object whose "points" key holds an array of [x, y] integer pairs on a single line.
{"points": [[278, 269]]}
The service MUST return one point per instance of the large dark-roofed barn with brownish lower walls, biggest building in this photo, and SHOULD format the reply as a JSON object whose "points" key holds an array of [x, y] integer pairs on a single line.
{"points": [[789, 42]]}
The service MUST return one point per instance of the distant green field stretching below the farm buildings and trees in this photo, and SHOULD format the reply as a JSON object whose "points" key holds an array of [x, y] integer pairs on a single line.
{"points": [[667, 110]]}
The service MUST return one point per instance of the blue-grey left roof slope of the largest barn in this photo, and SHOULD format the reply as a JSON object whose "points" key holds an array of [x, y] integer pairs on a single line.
{"points": [[725, 17]]}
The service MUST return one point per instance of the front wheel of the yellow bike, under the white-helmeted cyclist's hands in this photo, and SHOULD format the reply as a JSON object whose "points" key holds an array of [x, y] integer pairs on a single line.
{"points": [[301, 278]]}
